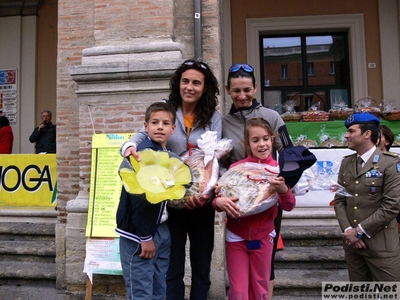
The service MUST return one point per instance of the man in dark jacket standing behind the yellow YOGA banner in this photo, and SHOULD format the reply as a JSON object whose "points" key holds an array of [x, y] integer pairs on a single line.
{"points": [[44, 135]]}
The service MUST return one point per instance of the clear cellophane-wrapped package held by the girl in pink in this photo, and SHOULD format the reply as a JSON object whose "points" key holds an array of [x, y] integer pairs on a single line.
{"points": [[250, 183]]}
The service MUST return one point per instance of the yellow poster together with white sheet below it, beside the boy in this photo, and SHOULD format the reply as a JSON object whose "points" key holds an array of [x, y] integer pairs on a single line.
{"points": [[102, 243]]}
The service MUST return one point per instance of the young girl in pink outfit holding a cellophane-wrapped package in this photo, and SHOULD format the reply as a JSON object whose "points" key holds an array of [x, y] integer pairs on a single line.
{"points": [[249, 240]]}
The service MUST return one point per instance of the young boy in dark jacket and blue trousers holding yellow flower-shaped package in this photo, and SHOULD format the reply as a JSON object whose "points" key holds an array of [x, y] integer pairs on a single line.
{"points": [[144, 235]]}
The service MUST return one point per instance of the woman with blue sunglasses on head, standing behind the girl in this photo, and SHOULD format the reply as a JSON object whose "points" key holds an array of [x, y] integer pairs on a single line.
{"points": [[242, 86]]}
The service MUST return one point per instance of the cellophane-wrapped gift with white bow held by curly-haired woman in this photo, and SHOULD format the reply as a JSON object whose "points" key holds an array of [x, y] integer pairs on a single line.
{"points": [[204, 164]]}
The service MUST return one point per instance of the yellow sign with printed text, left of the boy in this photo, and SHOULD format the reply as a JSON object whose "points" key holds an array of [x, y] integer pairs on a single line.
{"points": [[105, 184]]}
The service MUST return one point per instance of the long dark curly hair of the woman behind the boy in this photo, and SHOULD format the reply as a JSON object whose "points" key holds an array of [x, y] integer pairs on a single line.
{"points": [[208, 101]]}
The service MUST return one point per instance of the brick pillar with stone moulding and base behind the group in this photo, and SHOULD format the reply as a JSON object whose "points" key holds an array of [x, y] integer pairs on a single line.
{"points": [[111, 49]]}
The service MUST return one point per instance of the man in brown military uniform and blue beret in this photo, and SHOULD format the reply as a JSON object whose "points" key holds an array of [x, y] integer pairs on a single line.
{"points": [[367, 216]]}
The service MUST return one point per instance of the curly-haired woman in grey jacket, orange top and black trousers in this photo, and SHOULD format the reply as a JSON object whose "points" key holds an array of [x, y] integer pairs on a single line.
{"points": [[193, 93]]}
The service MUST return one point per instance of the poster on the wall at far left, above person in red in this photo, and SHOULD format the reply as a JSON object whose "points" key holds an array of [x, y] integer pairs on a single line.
{"points": [[8, 94]]}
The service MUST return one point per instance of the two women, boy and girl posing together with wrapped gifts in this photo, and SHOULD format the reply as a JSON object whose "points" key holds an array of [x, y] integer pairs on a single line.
{"points": [[193, 96]]}
